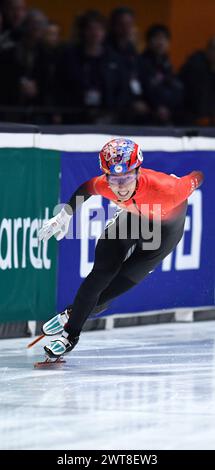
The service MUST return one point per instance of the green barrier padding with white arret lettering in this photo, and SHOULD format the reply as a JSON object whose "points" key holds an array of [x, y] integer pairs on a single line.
{"points": [[29, 180]]}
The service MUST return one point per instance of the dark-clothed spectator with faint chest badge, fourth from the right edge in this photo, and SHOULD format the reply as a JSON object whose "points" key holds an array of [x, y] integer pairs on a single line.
{"points": [[89, 76]]}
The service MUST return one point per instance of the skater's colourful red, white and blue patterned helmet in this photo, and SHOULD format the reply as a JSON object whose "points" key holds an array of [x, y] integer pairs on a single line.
{"points": [[120, 156]]}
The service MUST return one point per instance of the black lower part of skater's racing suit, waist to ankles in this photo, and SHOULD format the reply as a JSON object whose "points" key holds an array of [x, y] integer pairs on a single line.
{"points": [[120, 263]]}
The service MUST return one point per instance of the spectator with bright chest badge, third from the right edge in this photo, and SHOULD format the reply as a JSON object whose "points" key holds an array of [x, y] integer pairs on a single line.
{"points": [[122, 39]]}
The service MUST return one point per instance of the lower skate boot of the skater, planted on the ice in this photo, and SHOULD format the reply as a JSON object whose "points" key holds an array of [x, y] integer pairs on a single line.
{"points": [[60, 346]]}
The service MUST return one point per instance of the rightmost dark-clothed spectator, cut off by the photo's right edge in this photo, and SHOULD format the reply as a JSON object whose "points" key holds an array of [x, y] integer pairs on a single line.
{"points": [[198, 76]]}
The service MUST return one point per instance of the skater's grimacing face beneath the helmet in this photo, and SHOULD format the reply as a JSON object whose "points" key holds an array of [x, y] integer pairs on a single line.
{"points": [[123, 185]]}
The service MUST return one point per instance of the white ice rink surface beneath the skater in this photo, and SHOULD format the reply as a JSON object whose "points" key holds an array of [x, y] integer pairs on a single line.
{"points": [[149, 387]]}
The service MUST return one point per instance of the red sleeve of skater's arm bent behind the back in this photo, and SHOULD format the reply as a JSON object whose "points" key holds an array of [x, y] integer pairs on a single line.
{"points": [[184, 187]]}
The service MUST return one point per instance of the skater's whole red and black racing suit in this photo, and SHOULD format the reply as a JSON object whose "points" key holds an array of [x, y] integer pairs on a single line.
{"points": [[114, 271]]}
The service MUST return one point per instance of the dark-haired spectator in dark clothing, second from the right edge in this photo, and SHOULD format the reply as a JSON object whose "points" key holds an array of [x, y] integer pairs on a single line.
{"points": [[163, 89]]}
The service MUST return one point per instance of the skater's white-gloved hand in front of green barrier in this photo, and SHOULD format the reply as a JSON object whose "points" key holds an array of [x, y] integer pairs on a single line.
{"points": [[57, 226]]}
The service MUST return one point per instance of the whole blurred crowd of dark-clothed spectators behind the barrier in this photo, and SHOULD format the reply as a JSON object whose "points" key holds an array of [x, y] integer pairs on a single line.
{"points": [[100, 75]]}
